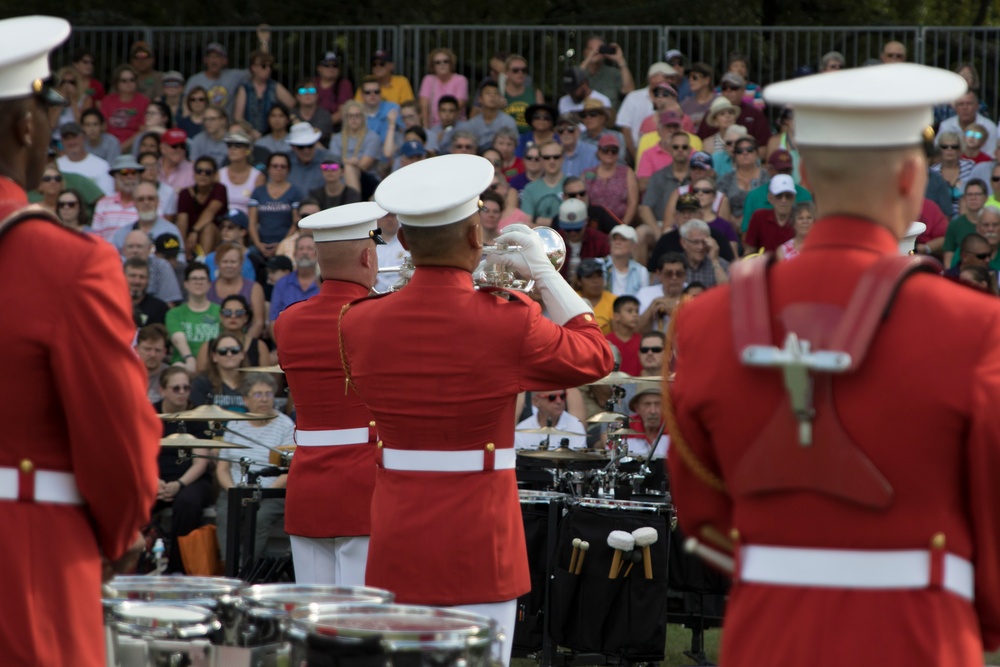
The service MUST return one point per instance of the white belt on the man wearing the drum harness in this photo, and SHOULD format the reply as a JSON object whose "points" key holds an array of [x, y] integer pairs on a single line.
{"points": [[849, 568]]}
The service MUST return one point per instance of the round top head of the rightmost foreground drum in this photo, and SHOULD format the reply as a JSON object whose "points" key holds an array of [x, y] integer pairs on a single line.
{"points": [[400, 628]]}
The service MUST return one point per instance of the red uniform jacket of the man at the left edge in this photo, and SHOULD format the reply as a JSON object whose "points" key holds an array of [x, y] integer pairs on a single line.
{"points": [[74, 401]]}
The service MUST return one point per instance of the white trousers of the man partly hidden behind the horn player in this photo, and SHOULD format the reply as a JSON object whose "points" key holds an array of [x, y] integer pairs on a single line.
{"points": [[336, 561]]}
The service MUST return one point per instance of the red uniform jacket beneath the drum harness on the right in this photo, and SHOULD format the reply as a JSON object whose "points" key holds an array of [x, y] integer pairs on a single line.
{"points": [[922, 407]]}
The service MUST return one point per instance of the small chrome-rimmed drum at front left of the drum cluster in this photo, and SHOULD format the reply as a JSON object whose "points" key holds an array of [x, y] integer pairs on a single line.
{"points": [[159, 634]]}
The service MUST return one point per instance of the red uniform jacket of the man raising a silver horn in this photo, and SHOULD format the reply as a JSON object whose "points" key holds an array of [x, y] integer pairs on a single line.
{"points": [[440, 365]]}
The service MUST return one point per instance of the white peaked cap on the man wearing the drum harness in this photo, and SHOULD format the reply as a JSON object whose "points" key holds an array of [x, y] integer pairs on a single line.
{"points": [[868, 107]]}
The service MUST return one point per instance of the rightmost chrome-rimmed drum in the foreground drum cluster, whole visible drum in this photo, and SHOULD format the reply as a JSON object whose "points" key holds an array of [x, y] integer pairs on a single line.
{"points": [[391, 636]]}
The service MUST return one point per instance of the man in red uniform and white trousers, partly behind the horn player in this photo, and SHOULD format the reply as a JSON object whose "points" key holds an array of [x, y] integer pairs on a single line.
{"points": [[332, 475]]}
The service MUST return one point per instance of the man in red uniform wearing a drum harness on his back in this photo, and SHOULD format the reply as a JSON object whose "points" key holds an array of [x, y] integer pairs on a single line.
{"points": [[828, 572]]}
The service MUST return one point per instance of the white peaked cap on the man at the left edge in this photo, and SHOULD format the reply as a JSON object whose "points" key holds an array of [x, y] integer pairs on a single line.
{"points": [[25, 43]]}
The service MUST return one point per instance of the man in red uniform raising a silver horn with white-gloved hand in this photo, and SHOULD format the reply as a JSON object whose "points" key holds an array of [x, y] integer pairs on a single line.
{"points": [[440, 365]]}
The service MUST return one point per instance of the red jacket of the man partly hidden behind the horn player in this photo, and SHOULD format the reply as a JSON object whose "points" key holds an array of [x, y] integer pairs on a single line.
{"points": [[329, 488]]}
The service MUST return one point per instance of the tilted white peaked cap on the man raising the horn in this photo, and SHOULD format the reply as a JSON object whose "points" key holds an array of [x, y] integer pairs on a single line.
{"points": [[436, 192]]}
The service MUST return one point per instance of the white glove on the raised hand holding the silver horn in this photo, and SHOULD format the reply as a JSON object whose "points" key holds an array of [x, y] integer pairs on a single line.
{"points": [[562, 302]]}
